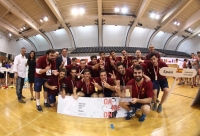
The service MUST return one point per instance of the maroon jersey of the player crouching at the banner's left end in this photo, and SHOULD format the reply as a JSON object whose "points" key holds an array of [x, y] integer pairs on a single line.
{"points": [[53, 81]]}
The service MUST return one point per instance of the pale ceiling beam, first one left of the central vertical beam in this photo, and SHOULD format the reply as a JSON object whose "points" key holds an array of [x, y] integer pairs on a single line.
{"points": [[53, 6]]}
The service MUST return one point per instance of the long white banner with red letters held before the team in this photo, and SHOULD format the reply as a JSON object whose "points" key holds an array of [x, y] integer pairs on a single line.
{"points": [[91, 107]]}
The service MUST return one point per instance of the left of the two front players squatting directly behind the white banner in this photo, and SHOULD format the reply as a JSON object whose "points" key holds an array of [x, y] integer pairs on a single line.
{"points": [[85, 86]]}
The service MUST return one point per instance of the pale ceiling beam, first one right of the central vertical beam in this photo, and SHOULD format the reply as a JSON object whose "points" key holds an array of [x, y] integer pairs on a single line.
{"points": [[142, 9]]}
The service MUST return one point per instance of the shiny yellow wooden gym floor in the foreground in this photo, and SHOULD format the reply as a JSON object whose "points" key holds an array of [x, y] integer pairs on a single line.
{"points": [[177, 119]]}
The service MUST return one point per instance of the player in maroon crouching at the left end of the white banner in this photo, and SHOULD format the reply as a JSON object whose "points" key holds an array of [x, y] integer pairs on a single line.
{"points": [[56, 85]]}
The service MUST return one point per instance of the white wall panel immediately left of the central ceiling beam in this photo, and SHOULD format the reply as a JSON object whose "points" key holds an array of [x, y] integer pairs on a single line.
{"points": [[86, 36]]}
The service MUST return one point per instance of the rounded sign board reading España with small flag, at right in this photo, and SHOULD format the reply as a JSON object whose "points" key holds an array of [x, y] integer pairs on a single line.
{"points": [[175, 72]]}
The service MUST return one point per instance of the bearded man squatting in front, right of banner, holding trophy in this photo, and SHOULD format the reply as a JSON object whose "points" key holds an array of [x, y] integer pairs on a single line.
{"points": [[142, 93]]}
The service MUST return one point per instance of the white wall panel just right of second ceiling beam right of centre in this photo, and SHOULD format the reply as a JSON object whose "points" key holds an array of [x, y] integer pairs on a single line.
{"points": [[160, 39]]}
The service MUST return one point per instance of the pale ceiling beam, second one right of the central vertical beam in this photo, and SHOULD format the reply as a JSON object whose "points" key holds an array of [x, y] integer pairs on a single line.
{"points": [[170, 16]]}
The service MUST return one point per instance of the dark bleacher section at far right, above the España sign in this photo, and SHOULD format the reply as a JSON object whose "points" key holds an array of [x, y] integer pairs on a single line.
{"points": [[174, 53]]}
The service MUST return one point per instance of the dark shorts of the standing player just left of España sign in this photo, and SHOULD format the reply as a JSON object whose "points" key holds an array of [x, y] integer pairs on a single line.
{"points": [[163, 83]]}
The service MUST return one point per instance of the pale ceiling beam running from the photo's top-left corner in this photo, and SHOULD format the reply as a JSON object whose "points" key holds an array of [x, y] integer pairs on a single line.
{"points": [[21, 14]]}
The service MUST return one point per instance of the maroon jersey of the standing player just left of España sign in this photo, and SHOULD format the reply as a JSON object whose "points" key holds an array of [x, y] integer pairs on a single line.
{"points": [[152, 70]]}
